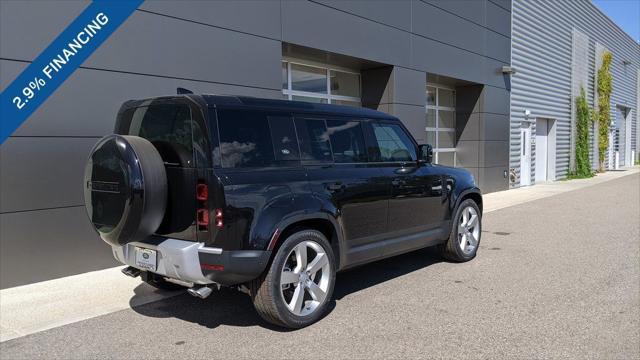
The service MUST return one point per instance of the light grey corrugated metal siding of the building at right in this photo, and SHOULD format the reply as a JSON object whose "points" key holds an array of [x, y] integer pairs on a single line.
{"points": [[542, 55]]}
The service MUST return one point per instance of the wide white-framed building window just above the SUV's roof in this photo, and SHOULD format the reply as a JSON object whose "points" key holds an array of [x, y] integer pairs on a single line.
{"points": [[313, 83]]}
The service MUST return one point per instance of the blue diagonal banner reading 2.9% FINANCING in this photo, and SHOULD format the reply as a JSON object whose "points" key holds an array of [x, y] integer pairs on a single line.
{"points": [[59, 60]]}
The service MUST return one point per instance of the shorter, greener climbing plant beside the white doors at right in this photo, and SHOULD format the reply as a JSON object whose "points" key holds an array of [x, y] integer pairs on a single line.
{"points": [[583, 114]]}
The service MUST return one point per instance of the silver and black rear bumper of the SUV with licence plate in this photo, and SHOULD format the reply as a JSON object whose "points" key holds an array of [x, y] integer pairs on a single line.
{"points": [[195, 263]]}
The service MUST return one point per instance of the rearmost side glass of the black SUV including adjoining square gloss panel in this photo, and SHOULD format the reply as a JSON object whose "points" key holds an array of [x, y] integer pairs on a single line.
{"points": [[255, 139]]}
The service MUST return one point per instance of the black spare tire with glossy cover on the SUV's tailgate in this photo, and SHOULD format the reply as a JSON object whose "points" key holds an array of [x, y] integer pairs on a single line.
{"points": [[125, 189]]}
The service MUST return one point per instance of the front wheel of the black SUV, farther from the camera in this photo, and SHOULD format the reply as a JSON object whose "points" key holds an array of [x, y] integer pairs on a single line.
{"points": [[466, 231]]}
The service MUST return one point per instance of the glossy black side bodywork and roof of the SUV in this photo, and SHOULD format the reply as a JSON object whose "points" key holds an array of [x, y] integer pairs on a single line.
{"points": [[373, 207]]}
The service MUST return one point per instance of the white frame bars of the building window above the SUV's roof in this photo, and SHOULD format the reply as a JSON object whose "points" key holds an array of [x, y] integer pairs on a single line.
{"points": [[289, 92]]}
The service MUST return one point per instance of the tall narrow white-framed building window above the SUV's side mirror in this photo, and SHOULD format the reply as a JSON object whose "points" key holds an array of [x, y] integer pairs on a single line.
{"points": [[441, 123]]}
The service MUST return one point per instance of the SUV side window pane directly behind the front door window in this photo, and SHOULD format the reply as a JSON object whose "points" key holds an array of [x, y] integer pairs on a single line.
{"points": [[347, 141]]}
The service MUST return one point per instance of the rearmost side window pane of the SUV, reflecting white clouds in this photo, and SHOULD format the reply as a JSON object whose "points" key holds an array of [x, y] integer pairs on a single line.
{"points": [[242, 139]]}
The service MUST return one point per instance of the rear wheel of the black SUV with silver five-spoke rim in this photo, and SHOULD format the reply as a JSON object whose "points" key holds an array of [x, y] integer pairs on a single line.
{"points": [[307, 302]]}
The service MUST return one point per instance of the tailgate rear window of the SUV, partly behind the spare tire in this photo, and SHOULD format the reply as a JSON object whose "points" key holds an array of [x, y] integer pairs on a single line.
{"points": [[169, 128]]}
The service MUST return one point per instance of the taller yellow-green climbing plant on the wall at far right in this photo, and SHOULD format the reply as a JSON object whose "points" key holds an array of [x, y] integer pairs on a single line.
{"points": [[604, 107]]}
